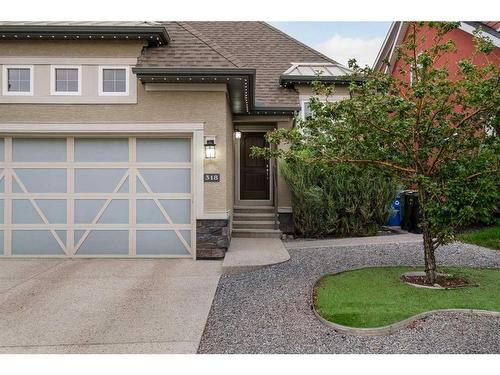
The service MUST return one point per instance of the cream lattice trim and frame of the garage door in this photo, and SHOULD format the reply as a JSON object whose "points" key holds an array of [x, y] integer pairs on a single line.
{"points": [[196, 189]]}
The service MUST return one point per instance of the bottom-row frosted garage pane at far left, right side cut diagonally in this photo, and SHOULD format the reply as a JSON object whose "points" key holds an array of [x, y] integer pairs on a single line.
{"points": [[35, 242]]}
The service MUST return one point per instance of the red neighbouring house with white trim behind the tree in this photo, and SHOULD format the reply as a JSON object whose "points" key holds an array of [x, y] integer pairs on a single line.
{"points": [[462, 36]]}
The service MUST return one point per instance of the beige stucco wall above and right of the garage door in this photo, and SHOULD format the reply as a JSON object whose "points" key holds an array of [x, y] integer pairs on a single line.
{"points": [[209, 108]]}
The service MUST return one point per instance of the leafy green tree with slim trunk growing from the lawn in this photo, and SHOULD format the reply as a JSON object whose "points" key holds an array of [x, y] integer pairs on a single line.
{"points": [[436, 133]]}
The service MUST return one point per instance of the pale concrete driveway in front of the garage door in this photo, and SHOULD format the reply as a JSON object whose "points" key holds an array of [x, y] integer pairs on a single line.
{"points": [[105, 305]]}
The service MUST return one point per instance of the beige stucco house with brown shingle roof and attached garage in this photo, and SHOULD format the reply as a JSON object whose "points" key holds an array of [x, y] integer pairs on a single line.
{"points": [[133, 139]]}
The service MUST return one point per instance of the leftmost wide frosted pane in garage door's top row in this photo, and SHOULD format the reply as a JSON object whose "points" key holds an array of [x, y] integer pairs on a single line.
{"points": [[39, 149]]}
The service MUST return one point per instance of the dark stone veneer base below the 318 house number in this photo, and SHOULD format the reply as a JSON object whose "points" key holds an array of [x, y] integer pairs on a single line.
{"points": [[212, 238]]}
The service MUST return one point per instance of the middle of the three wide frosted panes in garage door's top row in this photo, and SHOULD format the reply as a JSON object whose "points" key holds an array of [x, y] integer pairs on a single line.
{"points": [[101, 150]]}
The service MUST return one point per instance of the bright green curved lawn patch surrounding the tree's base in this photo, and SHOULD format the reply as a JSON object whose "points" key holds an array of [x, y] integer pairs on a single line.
{"points": [[375, 297]]}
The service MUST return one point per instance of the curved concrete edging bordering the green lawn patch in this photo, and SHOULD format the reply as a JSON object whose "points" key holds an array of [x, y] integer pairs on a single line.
{"points": [[391, 328]]}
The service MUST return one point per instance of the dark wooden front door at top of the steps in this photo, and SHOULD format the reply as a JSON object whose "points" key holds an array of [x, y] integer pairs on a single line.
{"points": [[254, 172]]}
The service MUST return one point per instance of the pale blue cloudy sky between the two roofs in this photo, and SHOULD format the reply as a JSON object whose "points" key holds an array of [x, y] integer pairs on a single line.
{"points": [[340, 40]]}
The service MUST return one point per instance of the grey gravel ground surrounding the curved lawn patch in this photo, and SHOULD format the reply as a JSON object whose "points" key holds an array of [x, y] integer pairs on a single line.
{"points": [[268, 310]]}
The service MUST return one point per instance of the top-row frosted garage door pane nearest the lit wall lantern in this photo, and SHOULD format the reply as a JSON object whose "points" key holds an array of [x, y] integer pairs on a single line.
{"points": [[164, 150]]}
